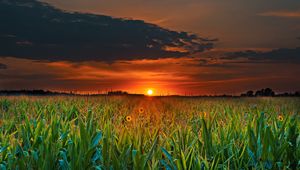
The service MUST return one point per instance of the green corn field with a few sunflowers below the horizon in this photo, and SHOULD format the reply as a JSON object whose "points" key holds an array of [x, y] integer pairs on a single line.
{"points": [[149, 133]]}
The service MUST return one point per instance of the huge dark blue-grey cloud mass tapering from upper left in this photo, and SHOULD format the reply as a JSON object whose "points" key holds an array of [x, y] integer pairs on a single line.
{"points": [[35, 30]]}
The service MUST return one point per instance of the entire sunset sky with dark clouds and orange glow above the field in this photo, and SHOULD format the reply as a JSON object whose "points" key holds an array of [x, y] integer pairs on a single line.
{"points": [[186, 47]]}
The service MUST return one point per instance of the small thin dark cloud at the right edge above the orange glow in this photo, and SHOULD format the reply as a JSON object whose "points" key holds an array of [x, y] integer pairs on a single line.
{"points": [[285, 55]]}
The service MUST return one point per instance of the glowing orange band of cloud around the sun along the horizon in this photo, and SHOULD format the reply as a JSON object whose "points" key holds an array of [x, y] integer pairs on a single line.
{"points": [[198, 75]]}
